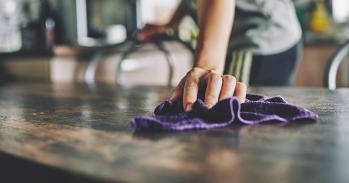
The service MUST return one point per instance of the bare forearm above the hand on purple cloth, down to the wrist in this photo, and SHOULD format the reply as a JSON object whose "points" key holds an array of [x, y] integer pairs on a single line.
{"points": [[215, 21]]}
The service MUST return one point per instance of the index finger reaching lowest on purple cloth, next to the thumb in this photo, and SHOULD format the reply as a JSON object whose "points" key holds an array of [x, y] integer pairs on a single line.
{"points": [[191, 88]]}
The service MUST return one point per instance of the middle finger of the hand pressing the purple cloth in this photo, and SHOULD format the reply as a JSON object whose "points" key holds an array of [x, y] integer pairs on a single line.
{"points": [[214, 85]]}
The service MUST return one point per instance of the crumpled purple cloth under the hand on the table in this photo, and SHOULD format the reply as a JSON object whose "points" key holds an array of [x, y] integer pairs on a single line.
{"points": [[256, 109]]}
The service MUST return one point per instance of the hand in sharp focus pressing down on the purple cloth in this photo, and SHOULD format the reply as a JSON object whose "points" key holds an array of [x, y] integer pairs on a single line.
{"points": [[216, 87]]}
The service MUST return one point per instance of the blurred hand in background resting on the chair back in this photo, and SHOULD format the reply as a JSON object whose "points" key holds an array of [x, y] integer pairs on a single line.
{"points": [[152, 32]]}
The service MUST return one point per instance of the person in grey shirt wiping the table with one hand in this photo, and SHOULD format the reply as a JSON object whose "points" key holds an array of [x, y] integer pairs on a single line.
{"points": [[263, 39]]}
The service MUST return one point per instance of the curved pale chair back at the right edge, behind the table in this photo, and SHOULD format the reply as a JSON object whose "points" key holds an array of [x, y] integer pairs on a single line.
{"points": [[332, 67]]}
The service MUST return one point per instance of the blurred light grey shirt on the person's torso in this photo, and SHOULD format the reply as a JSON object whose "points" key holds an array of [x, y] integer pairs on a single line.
{"points": [[265, 26]]}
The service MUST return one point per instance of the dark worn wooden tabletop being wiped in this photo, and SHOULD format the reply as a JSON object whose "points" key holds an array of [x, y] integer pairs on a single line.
{"points": [[74, 133]]}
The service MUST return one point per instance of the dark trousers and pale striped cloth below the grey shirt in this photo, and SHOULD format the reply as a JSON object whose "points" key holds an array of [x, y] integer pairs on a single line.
{"points": [[264, 70]]}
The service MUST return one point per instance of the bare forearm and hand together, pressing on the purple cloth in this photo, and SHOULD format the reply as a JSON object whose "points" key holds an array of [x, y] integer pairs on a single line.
{"points": [[215, 21]]}
